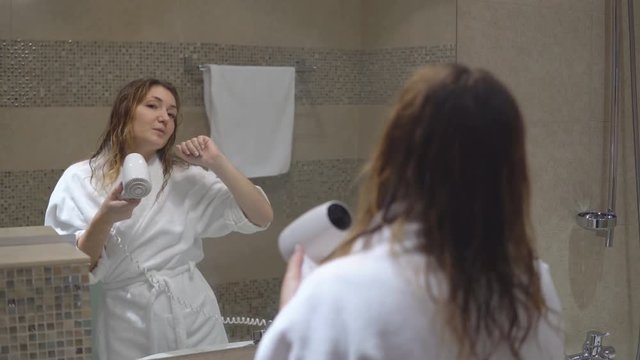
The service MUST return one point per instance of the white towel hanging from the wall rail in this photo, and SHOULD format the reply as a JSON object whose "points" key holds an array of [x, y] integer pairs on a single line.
{"points": [[250, 111]]}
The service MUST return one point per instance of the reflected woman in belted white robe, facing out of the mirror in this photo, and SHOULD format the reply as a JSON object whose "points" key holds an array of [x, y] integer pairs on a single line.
{"points": [[144, 251]]}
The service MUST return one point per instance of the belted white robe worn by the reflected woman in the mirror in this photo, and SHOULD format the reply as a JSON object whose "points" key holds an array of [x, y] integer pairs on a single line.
{"points": [[171, 306]]}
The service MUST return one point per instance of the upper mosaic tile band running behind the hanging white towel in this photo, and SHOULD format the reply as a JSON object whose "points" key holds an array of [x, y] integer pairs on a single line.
{"points": [[85, 73]]}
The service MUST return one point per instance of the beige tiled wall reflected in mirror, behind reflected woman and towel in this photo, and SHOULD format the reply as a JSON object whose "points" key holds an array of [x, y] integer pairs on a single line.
{"points": [[62, 63]]}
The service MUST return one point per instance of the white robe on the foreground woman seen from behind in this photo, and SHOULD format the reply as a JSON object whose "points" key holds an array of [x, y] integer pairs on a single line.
{"points": [[373, 305]]}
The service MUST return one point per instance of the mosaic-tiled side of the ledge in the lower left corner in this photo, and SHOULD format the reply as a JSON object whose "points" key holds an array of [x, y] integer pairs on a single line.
{"points": [[45, 312]]}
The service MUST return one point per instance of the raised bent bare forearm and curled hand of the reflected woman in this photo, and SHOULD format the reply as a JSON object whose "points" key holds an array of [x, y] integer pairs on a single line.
{"points": [[202, 151]]}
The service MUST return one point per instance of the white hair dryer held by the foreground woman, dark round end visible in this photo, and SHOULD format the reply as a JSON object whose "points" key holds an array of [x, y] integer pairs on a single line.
{"points": [[319, 231]]}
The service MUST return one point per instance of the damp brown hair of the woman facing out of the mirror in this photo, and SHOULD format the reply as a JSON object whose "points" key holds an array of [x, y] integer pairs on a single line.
{"points": [[117, 139]]}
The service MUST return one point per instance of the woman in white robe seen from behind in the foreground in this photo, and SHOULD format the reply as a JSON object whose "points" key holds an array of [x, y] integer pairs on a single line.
{"points": [[440, 264]]}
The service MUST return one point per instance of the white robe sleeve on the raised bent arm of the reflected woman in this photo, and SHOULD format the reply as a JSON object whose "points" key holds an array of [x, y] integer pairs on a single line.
{"points": [[218, 210]]}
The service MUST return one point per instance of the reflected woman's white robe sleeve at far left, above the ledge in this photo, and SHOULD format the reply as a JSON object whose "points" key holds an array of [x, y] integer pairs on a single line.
{"points": [[71, 208]]}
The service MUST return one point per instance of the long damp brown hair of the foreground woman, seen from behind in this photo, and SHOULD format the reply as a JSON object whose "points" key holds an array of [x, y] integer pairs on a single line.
{"points": [[452, 159]]}
